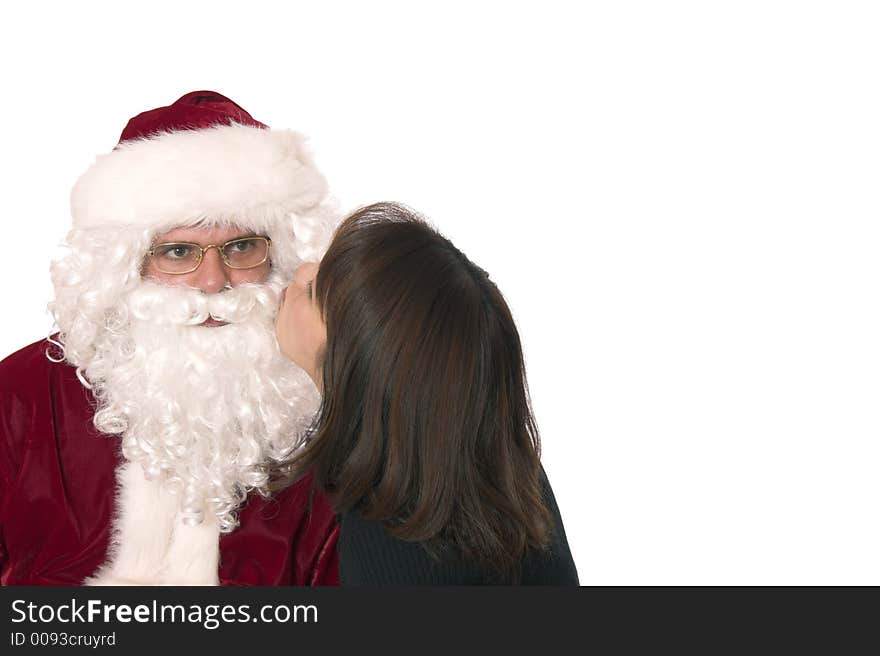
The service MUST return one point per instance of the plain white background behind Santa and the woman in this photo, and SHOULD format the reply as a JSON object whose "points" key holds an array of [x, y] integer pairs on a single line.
{"points": [[679, 201]]}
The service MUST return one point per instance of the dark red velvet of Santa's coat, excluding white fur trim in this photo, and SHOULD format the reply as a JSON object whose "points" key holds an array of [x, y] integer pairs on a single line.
{"points": [[57, 498]]}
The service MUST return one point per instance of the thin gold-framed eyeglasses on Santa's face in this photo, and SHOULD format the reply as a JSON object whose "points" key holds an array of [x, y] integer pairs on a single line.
{"points": [[181, 257]]}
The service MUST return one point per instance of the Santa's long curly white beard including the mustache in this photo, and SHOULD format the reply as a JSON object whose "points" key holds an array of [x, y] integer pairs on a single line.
{"points": [[203, 410]]}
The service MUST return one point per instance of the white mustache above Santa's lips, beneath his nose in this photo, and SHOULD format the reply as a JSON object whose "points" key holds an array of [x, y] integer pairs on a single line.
{"points": [[186, 306]]}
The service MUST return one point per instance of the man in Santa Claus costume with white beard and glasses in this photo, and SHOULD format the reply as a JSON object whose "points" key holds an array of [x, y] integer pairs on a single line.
{"points": [[138, 443]]}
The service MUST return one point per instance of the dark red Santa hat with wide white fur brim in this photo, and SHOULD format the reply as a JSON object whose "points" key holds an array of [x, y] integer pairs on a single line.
{"points": [[201, 159]]}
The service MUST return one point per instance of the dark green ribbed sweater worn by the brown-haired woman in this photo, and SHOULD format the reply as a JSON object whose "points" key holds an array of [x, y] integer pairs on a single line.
{"points": [[368, 555]]}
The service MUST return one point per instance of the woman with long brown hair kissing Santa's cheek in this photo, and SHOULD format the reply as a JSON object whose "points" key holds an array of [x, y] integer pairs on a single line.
{"points": [[425, 439]]}
